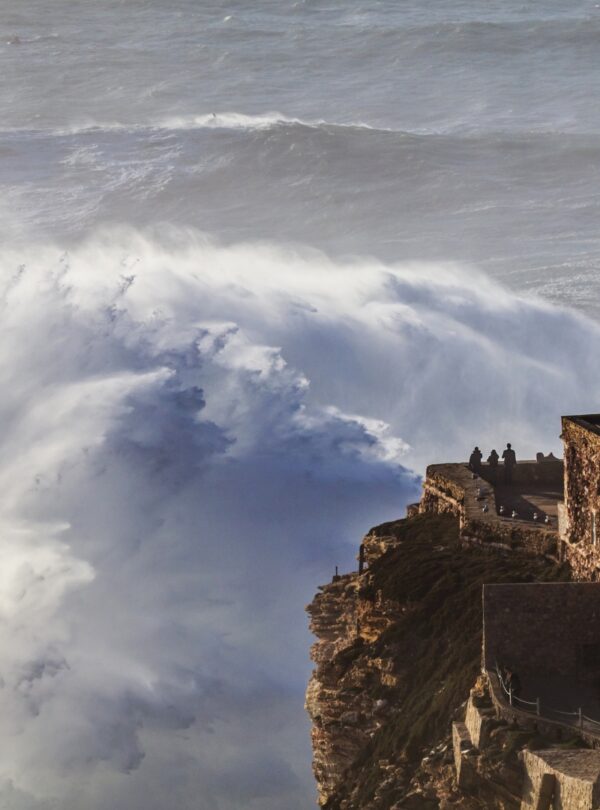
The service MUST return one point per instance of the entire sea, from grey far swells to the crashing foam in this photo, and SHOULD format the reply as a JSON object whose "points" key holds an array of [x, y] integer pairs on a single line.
{"points": [[259, 264]]}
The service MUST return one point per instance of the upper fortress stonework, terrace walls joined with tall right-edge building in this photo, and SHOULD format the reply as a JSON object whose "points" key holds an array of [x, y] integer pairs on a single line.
{"points": [[572, 532]]}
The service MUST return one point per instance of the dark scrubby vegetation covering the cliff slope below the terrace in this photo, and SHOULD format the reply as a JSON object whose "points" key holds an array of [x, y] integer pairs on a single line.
{"points": [[427, 654]]}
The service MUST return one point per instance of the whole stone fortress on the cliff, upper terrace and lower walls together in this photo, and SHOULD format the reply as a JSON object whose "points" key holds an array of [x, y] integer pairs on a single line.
{"points": [[549, 633]]}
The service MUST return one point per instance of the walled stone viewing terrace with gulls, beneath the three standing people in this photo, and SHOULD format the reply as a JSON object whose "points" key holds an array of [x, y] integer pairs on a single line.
{"points": [[521, 515]]}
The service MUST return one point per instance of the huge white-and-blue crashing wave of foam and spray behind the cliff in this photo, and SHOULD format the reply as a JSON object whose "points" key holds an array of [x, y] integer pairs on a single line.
{"points": [[194, 436]]}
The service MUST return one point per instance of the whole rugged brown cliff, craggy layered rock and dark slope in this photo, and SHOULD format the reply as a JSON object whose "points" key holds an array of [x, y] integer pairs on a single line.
{"points": [[398, 650]]}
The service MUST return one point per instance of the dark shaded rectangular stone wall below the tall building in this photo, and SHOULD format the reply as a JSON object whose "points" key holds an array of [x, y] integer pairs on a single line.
{"points": [[541, 627]]}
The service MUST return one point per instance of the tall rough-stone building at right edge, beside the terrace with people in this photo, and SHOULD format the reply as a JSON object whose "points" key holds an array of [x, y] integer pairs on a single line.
{"points": [[579, 517]]}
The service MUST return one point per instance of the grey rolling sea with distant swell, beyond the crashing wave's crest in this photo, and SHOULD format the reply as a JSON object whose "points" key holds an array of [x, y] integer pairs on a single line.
{"points": [[391, 130]]}
